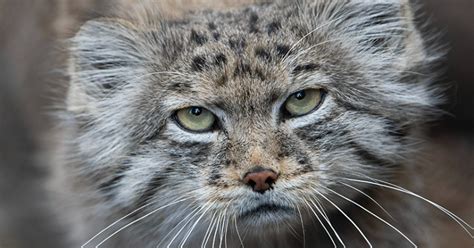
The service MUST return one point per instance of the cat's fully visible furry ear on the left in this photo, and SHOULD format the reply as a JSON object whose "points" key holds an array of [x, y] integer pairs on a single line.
{"points": [[104, 57]]}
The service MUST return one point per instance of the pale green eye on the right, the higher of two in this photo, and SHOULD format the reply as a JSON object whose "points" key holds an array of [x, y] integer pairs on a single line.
{"points": [[303, 102]]}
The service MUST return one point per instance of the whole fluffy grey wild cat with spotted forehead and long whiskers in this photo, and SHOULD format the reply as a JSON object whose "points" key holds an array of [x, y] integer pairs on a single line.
{"points": [[271, 124]]}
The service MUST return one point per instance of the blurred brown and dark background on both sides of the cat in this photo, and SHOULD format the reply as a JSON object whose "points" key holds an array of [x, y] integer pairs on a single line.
{"points": [[31, 61]]}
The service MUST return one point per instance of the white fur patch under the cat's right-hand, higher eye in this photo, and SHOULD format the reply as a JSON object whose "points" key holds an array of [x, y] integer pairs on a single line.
{"points": [[323, 111]]}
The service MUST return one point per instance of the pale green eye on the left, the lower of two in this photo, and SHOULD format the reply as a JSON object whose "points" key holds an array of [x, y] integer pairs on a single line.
{"points": [[196, 119]]}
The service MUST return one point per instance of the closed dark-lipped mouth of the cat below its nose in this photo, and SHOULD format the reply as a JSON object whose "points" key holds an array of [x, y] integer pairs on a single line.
{"points": [[266, 211]]}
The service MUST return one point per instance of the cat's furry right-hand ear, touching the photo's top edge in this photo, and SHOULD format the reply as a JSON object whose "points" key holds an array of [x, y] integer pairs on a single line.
{"points": [[381, 28]]}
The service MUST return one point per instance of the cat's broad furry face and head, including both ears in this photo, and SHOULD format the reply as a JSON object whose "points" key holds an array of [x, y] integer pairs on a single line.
{"points": [[249, 115]]}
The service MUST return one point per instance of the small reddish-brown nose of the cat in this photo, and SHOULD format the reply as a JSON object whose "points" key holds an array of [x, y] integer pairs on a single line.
{"points": [[260, 179]]}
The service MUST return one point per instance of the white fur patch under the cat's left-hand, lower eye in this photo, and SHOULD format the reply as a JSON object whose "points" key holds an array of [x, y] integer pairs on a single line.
{"points": [[180, 135]]}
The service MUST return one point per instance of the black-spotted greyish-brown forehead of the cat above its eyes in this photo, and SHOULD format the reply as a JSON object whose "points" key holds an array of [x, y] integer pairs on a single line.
{"points": [[234, 57]]}
